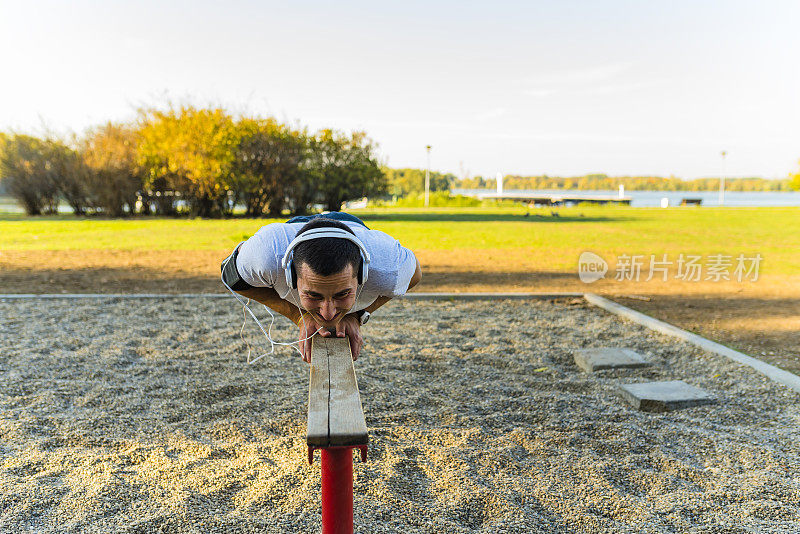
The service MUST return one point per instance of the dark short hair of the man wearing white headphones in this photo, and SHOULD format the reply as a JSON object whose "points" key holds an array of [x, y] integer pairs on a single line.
{"points": [[326, 255]]}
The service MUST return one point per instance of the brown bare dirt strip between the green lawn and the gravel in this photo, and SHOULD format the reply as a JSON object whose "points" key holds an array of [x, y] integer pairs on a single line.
{"points": [[761, 319]]}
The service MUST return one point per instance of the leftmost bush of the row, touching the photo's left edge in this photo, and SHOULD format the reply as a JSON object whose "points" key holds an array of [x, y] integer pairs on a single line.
{"points": [[27, 174]]}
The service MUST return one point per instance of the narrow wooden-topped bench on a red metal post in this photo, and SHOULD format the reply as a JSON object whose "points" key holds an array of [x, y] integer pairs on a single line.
{"points": [[336, 426]]}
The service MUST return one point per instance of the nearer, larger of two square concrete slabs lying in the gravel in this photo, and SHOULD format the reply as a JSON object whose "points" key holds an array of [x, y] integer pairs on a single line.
{"points": [[664, 396]]}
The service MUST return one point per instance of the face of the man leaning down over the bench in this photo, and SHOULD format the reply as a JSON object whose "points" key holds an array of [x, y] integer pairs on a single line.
{"points": [[327, 298]]}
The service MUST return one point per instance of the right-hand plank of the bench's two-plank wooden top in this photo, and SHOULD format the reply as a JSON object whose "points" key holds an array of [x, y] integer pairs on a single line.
{"points": [[346, 416]]}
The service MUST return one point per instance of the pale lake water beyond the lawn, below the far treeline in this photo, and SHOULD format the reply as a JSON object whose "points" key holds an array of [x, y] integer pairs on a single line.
{"points": [[643, 199]]}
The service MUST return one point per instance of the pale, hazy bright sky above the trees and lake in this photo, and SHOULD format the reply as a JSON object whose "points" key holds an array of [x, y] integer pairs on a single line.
{"points": [[562, 88]]}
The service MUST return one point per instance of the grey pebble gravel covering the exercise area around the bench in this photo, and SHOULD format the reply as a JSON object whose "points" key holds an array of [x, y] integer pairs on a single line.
{"points": [[143, 416]]}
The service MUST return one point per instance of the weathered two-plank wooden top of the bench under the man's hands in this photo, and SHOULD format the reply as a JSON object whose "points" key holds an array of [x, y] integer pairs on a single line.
{"points": [[335, 414]]}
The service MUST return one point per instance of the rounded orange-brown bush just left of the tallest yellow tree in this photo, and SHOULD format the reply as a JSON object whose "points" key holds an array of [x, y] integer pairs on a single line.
{"points": [[114, 179]]}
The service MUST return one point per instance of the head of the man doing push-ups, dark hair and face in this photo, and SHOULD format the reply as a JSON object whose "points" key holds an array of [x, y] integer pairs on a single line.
{"points": [[327, 270]]}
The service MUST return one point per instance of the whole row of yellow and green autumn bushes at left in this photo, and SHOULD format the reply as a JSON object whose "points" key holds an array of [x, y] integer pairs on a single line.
{"points": [[187, 160]]}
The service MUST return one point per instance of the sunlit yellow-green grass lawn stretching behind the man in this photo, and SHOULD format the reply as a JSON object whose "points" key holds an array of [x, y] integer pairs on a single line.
{"points": [[609, 231]]}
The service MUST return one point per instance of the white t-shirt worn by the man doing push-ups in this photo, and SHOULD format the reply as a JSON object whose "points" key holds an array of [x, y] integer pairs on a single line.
{"points": [[390, 269]]}
